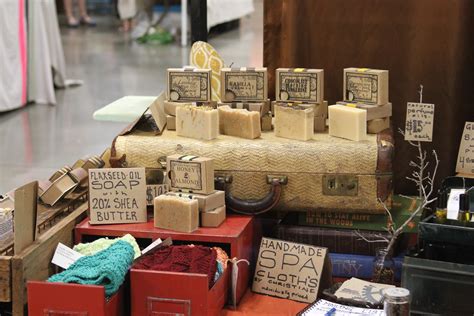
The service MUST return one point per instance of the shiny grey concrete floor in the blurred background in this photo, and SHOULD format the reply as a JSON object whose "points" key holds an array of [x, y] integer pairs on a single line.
{"points": [[37, 140]]}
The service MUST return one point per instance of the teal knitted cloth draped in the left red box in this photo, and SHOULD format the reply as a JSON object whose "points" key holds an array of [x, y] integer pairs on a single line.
{"points": [[107, 268]]}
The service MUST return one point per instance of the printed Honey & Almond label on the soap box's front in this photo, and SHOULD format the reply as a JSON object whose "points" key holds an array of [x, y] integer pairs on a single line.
{"points": [[186, 175]]}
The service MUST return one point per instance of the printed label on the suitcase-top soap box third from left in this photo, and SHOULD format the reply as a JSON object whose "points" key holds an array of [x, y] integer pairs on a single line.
{"points": [[298, 86]]}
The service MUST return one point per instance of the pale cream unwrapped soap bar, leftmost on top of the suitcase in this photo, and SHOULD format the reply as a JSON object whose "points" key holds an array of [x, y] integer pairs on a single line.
{"points": [[199, 122]]}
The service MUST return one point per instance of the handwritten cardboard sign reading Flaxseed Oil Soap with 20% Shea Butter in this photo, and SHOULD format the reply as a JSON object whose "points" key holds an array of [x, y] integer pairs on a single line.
{"points": [[117, 195]]}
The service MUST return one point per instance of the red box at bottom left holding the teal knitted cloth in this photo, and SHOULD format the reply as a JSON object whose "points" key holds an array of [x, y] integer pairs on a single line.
{"points": [[61, 299]]}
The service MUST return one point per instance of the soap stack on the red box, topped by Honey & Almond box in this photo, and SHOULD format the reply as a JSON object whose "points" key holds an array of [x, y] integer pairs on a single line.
{"points": [[192, 201]]}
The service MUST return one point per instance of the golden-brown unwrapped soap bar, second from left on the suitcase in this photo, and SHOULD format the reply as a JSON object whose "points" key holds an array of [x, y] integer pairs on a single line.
{"points": [[239, 122]]}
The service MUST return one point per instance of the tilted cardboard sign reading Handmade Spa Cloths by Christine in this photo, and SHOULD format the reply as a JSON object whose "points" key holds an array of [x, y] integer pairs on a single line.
{"points": [[289, 270]]}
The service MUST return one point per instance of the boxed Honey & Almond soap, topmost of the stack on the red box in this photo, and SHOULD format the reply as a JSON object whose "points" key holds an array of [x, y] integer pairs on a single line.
{"points": [[191, 174]]}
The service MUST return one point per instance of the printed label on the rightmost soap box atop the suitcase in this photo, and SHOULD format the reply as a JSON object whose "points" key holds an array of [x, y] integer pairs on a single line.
{"points": [[361, 87]]}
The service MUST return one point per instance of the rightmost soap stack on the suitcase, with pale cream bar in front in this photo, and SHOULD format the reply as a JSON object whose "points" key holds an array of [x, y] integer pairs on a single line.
{"points": [[365, 109]]}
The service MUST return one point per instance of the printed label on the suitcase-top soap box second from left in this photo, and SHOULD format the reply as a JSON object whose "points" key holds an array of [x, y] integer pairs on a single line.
{"points": [[241, 85]]}
